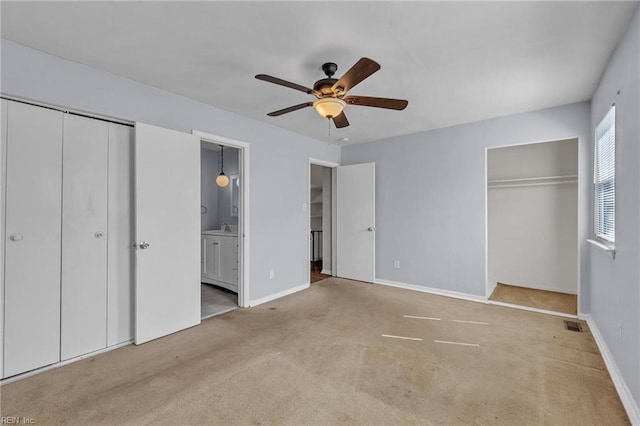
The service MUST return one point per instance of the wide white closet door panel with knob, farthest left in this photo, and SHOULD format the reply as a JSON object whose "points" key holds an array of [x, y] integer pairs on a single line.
{"points": [[32, 238]]}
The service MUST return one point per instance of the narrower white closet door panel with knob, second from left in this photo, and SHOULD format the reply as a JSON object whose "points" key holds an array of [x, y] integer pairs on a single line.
{"points": [[84, 236]]}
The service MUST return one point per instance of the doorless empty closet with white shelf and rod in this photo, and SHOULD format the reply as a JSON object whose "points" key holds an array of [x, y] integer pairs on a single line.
{"points": [[532, 225]]}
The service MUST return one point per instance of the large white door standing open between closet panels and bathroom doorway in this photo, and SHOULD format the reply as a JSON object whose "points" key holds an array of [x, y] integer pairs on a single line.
{"points": [[167, 190]]}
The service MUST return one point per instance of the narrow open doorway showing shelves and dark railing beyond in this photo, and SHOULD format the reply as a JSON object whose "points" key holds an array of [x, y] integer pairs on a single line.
{"points": [[320, 220]]}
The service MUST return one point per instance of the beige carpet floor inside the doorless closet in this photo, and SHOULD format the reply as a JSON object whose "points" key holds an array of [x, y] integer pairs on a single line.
{"points": [[541, 299]]}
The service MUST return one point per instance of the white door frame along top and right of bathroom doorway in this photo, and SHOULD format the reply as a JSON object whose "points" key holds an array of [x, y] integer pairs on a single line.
{"points": [[243, 215]]}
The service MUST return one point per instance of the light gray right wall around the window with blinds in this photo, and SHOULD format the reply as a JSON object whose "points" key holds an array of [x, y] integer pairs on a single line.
{"points": [[615, 284]]}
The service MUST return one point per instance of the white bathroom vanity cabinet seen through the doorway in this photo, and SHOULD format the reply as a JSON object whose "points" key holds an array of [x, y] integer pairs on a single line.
{"points": [[219, 261]]}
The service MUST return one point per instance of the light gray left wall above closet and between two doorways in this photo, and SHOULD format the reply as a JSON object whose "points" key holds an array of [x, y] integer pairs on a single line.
{"points": [[279, 159]]}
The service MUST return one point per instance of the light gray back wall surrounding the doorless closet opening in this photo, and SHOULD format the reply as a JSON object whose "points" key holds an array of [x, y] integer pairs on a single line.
{"points": [[430, 195]]}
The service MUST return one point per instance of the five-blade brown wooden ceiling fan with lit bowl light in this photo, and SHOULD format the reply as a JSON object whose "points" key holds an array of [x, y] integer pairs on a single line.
{"points": [[331, 93]]}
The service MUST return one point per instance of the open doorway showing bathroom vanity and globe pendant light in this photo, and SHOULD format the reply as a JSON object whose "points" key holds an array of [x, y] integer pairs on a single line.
{"points": [[220, 213]]}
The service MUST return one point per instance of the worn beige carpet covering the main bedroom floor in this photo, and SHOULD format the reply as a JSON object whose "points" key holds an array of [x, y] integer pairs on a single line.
{"points": [[319, 357]]}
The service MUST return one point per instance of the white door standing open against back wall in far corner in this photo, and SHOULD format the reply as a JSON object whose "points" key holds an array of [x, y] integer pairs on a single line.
{"points": [[356, 224]]}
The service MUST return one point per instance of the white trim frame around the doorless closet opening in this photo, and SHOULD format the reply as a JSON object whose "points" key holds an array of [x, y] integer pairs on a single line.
{"points": [[580, 221]]}
